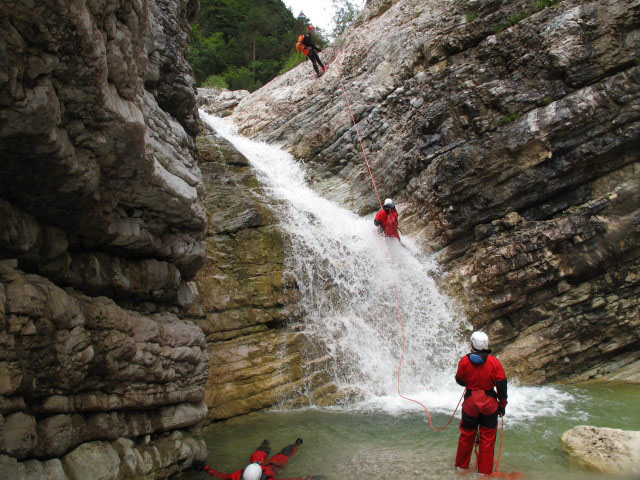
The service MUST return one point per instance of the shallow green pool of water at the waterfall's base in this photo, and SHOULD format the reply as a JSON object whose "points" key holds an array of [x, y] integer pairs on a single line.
{"points": [[368, 445]]}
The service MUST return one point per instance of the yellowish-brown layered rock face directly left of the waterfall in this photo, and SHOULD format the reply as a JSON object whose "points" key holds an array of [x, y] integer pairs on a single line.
{"points": [[247, 304]]}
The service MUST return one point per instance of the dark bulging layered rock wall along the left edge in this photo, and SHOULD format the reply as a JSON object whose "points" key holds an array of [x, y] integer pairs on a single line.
{"points": [[101, 233]]}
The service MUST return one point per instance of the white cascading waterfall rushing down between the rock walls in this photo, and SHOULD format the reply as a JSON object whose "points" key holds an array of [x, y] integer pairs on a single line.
{"points": [[346, 274]]}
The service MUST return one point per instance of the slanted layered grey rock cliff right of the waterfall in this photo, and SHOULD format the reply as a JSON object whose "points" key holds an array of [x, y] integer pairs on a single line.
{"points": [[509, 135]]}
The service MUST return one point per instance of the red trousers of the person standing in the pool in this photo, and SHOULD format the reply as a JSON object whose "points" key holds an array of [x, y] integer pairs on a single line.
{"points": [[478, 410]]}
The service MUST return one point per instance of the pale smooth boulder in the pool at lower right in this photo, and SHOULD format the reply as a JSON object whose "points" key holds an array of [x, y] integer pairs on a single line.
{"points": [[606, 450]]}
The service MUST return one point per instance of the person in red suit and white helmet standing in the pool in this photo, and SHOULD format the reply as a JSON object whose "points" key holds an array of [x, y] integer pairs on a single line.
{"points": [[479, 372]]}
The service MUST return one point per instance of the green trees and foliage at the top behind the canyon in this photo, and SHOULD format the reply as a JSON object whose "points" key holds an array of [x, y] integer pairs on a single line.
{"points": [[244, 43]]}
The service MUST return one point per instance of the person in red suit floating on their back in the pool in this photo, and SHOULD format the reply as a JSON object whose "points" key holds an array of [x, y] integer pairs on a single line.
{"points": [[259, 467]]}
